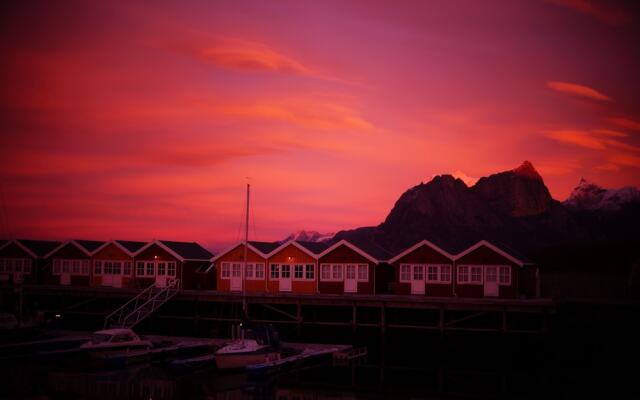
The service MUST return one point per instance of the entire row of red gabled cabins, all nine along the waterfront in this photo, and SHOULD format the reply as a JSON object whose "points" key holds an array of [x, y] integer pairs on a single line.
{"points": [[482, 270]]}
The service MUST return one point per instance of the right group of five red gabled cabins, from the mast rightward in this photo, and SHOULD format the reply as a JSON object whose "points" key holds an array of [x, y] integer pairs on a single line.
{"points": [[482, 270]]}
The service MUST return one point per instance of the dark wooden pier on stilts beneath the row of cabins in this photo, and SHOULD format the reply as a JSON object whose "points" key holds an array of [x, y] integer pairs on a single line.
{"points": [[345, 311]]}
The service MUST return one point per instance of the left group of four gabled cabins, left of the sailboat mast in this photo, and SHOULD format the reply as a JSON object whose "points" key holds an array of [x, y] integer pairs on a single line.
{"points": [[115, 263]]}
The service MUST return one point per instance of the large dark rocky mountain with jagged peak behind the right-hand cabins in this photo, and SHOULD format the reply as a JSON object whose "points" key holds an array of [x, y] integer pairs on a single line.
{"points": [[512, 208]]}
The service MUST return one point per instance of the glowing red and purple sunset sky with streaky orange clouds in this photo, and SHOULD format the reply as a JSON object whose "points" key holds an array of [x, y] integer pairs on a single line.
{"points": [[146, 120]]}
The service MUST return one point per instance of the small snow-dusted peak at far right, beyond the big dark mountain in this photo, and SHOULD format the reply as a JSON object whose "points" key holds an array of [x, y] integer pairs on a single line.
{"points": [[589, 196]]}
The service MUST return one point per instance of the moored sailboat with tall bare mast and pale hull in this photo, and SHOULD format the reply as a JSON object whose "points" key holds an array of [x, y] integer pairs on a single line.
{"points": [[256, 344]]}
